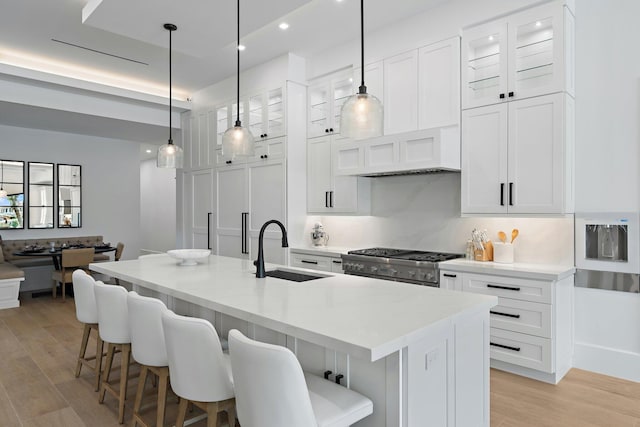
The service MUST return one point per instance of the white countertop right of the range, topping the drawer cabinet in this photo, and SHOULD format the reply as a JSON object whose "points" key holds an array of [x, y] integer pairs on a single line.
{"points": [[517, 269]]}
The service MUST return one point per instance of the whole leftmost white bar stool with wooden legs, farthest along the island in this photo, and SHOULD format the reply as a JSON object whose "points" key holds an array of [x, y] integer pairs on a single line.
{"points": [[86, 312]]}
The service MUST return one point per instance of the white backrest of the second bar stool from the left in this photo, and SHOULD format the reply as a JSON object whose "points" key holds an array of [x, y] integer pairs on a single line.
{"points": [[113, 315]]}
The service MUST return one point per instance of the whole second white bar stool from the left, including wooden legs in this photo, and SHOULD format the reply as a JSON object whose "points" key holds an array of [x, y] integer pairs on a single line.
{"points": [[113, 321]]}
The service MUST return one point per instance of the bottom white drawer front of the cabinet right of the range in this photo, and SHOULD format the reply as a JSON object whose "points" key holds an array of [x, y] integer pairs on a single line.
{"points": [[520, 349]]}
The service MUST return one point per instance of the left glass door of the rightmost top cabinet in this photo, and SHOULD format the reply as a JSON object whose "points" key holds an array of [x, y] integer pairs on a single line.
{"points": [[484, 65]]}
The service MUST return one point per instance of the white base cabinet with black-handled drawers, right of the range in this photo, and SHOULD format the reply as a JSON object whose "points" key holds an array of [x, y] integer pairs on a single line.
{"points": [[531, 327]]}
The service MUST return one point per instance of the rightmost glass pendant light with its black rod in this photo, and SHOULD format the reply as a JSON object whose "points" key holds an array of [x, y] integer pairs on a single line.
{"points": [[362, 114]]}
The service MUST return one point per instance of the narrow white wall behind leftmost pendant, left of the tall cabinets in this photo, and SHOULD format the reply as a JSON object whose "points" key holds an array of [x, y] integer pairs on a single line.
{"points": [[157, 208]]}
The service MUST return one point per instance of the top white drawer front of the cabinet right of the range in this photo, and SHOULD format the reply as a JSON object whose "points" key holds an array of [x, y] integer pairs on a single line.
{"points": [[509, 287]]}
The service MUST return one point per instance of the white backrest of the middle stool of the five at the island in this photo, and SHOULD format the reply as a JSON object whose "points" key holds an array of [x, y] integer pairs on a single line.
{"points": [[145, 325]]}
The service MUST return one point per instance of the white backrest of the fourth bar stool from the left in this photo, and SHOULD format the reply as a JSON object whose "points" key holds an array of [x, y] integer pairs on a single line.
{"points": [[198, 368]]}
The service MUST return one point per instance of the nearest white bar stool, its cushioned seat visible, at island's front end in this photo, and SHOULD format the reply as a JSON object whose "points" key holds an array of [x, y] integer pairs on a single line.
{"points": [[273, 391]]}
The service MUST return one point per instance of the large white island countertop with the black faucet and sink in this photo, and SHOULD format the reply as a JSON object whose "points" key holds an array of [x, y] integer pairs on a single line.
{"points": [[366, 318]]}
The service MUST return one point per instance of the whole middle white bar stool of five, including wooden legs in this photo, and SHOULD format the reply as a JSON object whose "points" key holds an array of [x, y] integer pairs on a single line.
{"points": [[149, 350]]}
